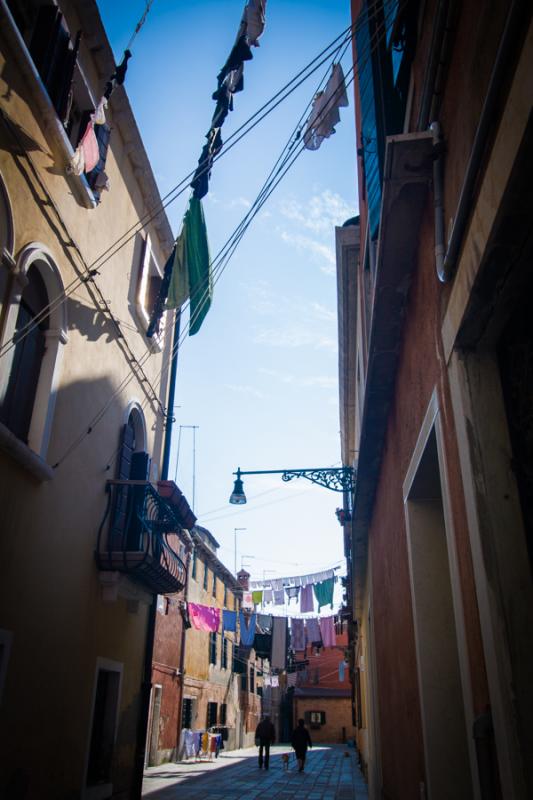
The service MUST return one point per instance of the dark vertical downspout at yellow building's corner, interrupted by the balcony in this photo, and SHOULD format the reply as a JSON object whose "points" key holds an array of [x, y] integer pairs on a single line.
{"points": [[146, 688]]}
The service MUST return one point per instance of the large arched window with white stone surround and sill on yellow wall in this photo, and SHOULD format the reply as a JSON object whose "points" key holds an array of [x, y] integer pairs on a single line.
{"points": [[30, 369]]}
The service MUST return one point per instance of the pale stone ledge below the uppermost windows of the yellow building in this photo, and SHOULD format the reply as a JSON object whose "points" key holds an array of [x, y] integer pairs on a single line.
{"points": [[54, 130]]}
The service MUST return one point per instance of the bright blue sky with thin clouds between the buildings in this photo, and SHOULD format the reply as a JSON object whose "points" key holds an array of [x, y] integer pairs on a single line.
{"points": [[260, 378]]}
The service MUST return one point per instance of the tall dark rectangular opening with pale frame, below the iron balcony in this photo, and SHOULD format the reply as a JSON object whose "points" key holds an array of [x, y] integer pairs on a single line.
{"points": [[104, 723]]}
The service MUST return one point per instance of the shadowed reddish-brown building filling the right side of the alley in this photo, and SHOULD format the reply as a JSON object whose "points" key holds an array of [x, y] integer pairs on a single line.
{"points": [[436, 383]]}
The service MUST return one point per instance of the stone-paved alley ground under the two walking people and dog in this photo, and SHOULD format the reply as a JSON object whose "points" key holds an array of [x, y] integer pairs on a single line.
{"points": [[329, 775]]}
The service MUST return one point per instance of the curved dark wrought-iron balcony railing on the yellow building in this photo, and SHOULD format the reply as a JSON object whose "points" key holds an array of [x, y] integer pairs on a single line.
{"points": [[138, 536]]}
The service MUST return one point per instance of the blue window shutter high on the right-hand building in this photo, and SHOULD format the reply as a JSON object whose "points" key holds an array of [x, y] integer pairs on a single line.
{"points": [[370, 136]]}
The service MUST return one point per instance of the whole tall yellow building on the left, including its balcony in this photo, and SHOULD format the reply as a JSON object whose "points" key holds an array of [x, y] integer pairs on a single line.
{"points": [[88, 539]]}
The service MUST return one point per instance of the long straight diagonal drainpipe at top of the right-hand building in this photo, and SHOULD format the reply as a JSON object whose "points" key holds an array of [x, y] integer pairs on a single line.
{"points": [[506, 51]]}
